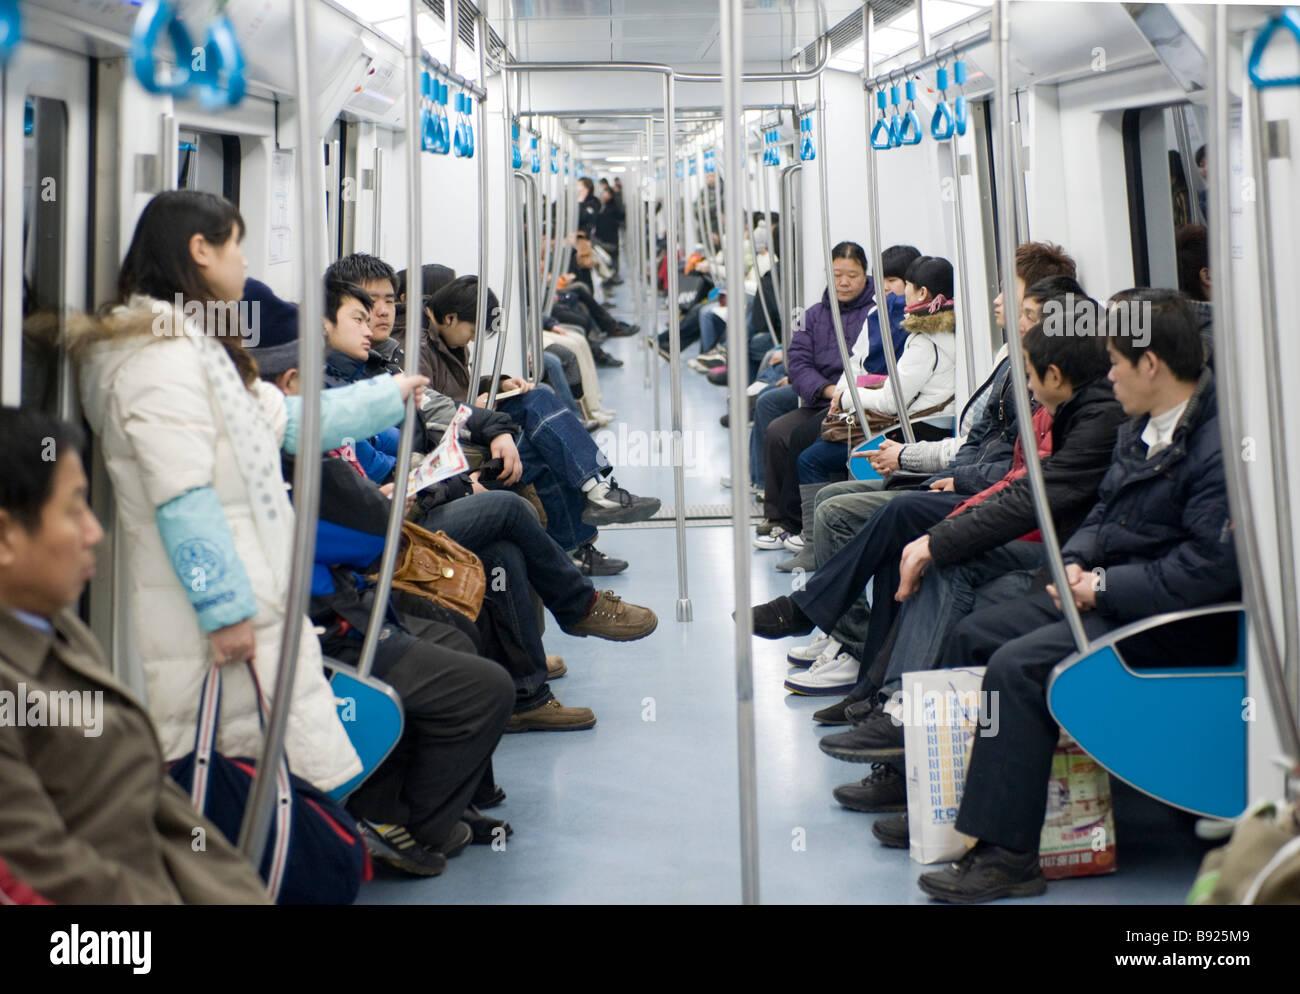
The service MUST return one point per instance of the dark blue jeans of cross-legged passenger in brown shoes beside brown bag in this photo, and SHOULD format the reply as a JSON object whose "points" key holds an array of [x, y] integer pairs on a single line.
{"points": [[504, 531]]}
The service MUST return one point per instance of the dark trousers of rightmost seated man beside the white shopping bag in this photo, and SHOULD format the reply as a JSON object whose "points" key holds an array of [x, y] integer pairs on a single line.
{"points": [[1021, 643]]}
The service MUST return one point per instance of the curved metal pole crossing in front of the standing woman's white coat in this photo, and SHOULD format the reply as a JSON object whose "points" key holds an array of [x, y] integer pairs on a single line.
{"points": [[255, 823]]}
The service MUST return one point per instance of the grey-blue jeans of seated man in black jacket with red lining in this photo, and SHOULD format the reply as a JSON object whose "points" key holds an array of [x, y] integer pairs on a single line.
{"points": [[948, 594]]}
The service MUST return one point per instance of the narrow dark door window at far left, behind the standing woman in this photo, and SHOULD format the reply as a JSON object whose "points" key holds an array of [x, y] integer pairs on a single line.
{"points": [[44, 232]]}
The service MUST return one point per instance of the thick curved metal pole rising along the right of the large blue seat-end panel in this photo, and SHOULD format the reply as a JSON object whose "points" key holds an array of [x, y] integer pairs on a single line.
{"points": [[1228, 377]]}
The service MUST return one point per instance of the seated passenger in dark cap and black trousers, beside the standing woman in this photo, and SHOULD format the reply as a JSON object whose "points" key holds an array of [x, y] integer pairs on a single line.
{"points": [[415, 809]]}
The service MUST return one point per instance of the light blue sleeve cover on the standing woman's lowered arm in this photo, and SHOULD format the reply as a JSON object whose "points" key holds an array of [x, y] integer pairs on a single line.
{"points": [[202, 549]]}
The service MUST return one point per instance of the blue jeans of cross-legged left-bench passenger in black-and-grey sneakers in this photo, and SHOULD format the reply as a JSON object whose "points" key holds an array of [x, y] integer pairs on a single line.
{"points": [[558, 458]]}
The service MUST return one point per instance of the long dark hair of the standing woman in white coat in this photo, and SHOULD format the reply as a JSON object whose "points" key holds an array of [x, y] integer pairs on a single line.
{"points": [[159, 263]]}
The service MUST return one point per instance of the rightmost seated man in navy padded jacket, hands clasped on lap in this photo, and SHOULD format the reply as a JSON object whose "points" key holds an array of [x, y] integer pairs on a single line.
{"points": [[1159, 540]]}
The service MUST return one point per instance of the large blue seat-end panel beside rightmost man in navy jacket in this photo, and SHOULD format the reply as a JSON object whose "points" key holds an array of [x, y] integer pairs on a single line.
{"points": [[1177, 735]]}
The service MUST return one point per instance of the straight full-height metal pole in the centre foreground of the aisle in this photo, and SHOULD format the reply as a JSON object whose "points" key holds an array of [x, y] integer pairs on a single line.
{"points": [[734, 142]]}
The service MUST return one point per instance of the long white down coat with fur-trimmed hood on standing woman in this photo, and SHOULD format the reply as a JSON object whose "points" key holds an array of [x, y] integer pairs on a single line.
{"points": [[162, 433]]}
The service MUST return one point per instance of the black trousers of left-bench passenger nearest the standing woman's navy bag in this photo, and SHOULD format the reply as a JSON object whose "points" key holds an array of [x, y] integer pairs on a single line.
{"points": [[457, 706]]}
